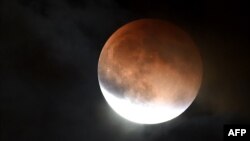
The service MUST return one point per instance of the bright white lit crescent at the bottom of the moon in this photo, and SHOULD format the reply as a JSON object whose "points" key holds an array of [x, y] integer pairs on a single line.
{"points": [[141, 113]]}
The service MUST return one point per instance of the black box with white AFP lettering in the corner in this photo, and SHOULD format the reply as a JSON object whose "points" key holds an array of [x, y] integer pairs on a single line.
{"points": [[236, 133]]}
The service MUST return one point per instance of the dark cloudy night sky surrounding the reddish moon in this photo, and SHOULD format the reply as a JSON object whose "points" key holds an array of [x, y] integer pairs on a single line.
{"points": [[49, 52]]}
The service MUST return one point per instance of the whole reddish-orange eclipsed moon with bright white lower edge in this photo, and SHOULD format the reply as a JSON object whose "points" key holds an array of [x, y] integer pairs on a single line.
{"points": [[149, 71]]}
